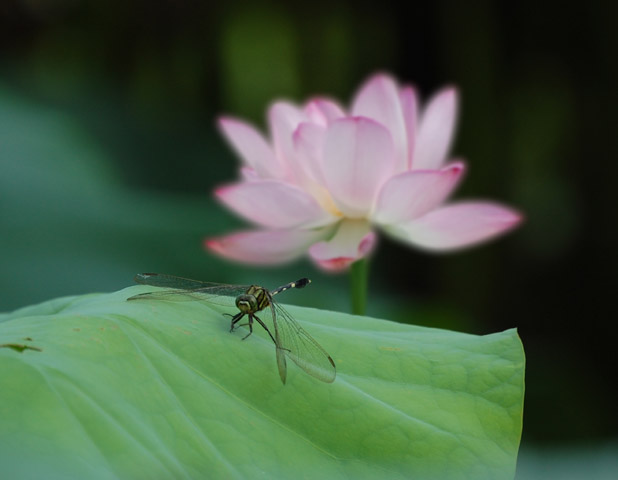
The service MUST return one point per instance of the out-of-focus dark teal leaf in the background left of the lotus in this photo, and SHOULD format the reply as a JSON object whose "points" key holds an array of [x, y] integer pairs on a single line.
{"points": [[68, 223]]}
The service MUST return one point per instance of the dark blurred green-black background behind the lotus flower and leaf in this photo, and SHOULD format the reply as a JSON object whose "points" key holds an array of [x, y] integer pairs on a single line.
{"points": [[109, 154]]}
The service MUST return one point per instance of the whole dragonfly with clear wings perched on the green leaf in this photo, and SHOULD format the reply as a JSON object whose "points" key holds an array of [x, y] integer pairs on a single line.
{"points": [[290, 339]]}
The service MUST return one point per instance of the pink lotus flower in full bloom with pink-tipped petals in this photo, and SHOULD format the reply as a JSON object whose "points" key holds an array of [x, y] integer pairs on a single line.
{"points": [[329, 178]]}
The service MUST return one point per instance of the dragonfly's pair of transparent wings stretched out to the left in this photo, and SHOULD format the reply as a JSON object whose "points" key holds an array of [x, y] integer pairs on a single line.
{"points": [[186, 290]]}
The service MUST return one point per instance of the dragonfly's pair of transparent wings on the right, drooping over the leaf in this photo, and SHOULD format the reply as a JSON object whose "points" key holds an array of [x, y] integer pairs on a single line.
{"points": [[294, 342]]}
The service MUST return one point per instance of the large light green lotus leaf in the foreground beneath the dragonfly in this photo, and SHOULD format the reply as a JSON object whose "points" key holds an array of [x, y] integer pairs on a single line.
{"points": [[151, 388]]}
